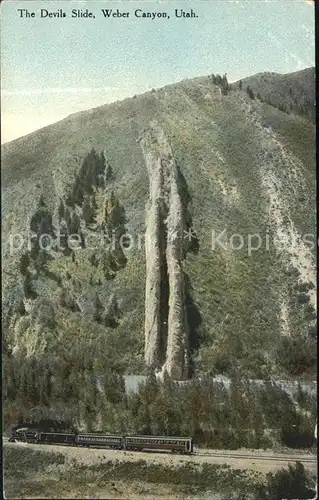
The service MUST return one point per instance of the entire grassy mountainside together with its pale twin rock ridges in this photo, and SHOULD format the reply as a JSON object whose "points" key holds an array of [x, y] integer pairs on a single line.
{"points": [[250, 169]]}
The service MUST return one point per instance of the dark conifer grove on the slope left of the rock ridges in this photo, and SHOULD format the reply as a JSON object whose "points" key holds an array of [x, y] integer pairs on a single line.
{"points": [[90, 207]]}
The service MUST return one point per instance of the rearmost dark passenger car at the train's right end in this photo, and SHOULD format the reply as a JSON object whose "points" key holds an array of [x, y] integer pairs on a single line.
{"points": [[174, 444]]}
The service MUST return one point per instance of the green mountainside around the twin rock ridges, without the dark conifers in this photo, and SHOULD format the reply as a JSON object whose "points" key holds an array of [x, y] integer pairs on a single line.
{"points": [[248, 174]]}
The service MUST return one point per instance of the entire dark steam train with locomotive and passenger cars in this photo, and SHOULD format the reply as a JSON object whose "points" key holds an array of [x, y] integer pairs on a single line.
{"points": [[182, 445]]}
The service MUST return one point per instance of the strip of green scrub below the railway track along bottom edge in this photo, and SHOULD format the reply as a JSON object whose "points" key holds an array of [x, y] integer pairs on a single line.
{"points": [[29, 473]]}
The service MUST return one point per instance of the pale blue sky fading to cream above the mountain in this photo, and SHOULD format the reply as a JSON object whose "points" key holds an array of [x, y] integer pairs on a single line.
{"points": [[54, 67]]}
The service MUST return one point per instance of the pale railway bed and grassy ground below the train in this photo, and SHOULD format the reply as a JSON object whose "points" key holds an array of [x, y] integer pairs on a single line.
{"points": [[34, 471]]}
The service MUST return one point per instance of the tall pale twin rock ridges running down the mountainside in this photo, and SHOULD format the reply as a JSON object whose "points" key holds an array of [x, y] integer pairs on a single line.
{"points": [[165, 312]]}
